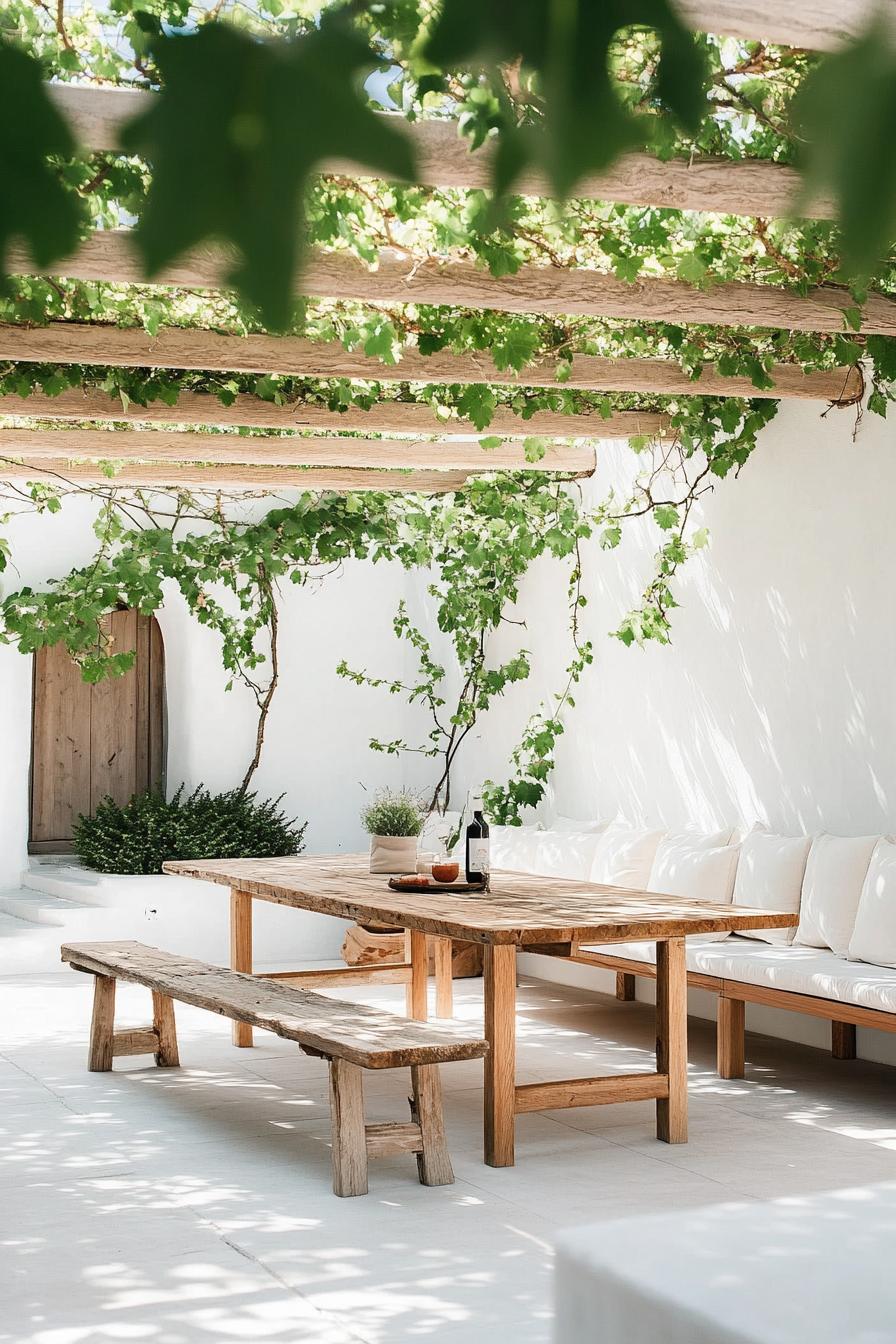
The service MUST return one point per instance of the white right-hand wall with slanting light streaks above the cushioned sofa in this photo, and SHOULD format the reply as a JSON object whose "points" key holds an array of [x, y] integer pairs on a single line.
{"points": [[774, 701]]}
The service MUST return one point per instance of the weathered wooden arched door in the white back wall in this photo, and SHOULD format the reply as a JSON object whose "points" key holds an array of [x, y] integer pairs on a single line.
{"points": [[89, 741]]}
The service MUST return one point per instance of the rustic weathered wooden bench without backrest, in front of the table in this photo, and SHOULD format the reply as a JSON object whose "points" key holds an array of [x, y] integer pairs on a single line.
{"points": [[350, 1037]]}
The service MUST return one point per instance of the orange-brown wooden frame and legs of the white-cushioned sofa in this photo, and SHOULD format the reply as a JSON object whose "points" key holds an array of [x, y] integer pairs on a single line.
{"points": [[734, 995]]}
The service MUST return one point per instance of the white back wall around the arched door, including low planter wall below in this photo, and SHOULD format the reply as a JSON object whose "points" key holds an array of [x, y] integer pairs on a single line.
{"points": [[316, 752]]}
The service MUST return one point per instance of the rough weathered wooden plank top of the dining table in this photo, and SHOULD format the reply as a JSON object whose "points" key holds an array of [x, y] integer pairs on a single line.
{"points": [[522, 909]]}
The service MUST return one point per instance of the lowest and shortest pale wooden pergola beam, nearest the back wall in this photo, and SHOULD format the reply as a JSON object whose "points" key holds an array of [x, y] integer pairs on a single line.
{"points": [[268, 479]]}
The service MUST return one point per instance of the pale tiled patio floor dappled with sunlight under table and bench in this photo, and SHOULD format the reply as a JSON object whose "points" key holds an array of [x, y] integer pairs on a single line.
{"points": [[194, 1205]]}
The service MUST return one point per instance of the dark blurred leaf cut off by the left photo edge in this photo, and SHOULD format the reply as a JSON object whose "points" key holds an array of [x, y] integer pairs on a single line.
{"points": [[34, 205]]}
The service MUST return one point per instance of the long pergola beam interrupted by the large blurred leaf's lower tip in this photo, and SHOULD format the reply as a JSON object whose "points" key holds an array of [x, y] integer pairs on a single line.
{"points": [[550, 291]]}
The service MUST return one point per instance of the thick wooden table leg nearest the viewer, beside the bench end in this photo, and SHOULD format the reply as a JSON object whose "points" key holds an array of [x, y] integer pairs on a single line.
{"points": [[500, 1061]]}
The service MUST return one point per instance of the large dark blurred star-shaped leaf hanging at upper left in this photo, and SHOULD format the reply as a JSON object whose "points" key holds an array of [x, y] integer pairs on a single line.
{"points": [[237, 132]]}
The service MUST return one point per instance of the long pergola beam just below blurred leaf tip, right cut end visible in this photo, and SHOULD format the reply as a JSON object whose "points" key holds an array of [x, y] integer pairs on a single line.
{"points": [[173, 347]]}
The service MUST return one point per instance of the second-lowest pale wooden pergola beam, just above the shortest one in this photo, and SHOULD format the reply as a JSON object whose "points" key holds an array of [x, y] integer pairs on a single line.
{"points": [[161, 447]]}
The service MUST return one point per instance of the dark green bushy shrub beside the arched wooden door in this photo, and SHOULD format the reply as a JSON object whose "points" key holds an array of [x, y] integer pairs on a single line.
{"points": [[148, 830]]}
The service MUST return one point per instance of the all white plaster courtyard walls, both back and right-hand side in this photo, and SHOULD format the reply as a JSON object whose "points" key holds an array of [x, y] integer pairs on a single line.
{"points": [[773, 704]]}
